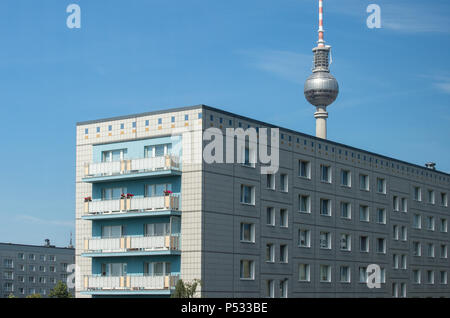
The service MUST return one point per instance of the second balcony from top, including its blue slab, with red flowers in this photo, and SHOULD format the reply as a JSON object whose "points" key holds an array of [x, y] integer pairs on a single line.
{"points": [[127, 207]]}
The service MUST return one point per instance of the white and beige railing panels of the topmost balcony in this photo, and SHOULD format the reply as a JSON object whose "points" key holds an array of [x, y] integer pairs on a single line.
{"points": [[142, 165]]}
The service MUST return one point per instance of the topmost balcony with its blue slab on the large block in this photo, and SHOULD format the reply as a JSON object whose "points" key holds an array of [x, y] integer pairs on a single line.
{"points": [[131, 169]]}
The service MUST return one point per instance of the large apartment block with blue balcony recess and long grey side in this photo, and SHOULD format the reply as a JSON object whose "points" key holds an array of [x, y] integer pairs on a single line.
{"points": [[150, 210]]}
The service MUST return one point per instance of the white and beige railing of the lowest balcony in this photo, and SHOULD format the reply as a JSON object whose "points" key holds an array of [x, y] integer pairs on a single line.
{"points": [[142, 282]]}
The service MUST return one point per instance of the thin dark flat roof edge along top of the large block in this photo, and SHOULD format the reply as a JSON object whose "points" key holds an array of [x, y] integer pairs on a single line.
{"points": [[202, 106]]}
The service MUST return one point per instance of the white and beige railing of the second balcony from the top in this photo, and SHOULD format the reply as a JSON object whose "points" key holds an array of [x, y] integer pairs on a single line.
{"points": [[134, 204]]}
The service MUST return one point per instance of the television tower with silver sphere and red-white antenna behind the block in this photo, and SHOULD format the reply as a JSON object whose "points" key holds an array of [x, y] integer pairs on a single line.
{"points": [[321, 88]]}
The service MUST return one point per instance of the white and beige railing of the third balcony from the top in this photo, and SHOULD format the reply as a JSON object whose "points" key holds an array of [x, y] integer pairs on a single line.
{"points": [[132, 244]]}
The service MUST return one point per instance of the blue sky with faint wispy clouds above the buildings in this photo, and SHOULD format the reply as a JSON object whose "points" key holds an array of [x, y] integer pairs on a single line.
{"points": [[248, 56]]}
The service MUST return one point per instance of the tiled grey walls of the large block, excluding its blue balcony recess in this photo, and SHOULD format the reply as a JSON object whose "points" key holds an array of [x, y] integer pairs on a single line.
{"points": [[396, 216]]}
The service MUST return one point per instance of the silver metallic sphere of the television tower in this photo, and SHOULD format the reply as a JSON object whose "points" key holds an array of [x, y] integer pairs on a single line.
{"points": [[321, 89]]}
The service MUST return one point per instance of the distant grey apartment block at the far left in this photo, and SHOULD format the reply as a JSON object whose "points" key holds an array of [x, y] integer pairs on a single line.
{"points": [[32, 269]]}
